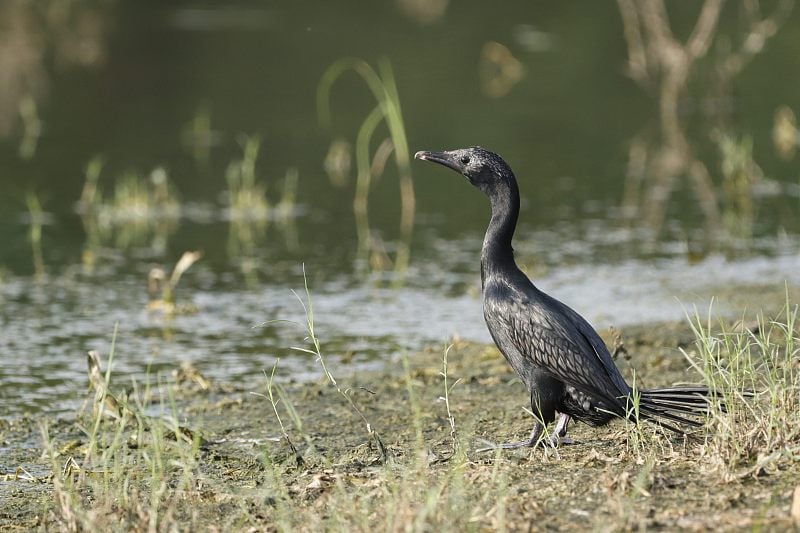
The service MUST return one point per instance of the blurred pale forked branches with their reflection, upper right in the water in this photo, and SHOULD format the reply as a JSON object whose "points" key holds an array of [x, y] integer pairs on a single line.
{"points": [[661, 62]]}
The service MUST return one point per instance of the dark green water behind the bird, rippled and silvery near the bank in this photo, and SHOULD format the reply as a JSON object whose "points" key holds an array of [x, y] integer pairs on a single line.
{"points": [[148, 86]]}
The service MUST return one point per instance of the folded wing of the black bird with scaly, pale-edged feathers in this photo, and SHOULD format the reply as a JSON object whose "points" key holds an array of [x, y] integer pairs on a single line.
{"points": [[551, 343]]}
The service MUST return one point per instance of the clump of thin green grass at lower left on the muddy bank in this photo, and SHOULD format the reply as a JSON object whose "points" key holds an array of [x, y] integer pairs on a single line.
{"points": [[133, 469]]}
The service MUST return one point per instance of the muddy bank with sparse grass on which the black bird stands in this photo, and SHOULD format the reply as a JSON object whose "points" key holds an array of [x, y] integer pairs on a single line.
{"points": [[200, 455]]}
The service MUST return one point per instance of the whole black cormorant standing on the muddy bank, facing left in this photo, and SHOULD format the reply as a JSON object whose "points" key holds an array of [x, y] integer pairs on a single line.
{"points": [[557, 354]]}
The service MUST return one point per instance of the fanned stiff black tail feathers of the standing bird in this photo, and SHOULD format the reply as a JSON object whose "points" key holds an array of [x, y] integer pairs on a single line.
{"points": [[683, 405]]}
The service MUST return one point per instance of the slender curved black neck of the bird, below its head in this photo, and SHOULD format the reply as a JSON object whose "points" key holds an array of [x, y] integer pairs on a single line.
{"points": [[497, 253]]}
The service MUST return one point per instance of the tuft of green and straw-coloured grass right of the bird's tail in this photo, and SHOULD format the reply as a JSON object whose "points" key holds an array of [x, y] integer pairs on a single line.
{"points": [[756, 373]]}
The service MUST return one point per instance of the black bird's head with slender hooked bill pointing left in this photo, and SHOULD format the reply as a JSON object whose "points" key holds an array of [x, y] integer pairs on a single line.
{"points": [[484, 169]]}
